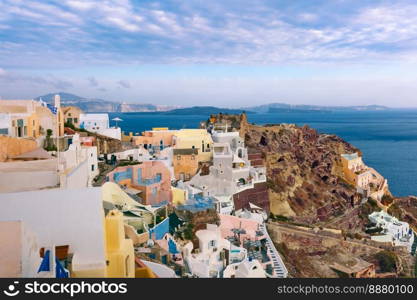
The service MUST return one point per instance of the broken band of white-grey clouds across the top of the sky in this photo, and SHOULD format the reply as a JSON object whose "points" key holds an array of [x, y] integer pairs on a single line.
{"points": [[207, 33]]}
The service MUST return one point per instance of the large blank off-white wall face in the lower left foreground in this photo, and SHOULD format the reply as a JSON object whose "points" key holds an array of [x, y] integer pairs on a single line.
{"points": [[62, 217]]}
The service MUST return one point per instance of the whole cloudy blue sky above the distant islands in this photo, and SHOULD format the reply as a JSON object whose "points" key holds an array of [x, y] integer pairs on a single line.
{"points": [[228, 53]]}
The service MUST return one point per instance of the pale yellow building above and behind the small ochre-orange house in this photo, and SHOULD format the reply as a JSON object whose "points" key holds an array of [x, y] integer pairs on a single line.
{"points": [[195, 139]]}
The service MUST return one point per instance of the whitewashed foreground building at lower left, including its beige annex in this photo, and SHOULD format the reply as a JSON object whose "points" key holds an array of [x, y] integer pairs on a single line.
{"points": [[54, 218]]}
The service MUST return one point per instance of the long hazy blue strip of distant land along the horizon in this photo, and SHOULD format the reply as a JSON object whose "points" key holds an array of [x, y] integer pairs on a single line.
{"points": [[102, 105]]}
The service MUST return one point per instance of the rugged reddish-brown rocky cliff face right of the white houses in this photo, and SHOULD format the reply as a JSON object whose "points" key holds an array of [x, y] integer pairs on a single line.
{"points": [[304, 170]]}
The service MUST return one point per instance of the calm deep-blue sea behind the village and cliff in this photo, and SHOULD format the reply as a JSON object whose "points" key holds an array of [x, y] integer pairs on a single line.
{"points": [[388, 139]]}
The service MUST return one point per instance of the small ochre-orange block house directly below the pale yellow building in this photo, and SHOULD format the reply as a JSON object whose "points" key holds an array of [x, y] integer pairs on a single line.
{"points": [[185, 163]]}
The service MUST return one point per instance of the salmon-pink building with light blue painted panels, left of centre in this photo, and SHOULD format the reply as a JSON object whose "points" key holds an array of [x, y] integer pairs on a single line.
{"points": [[152, 179]]}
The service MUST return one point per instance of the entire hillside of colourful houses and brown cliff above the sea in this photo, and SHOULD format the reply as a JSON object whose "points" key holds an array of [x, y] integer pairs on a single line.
{"points": [[229, 199]]}
